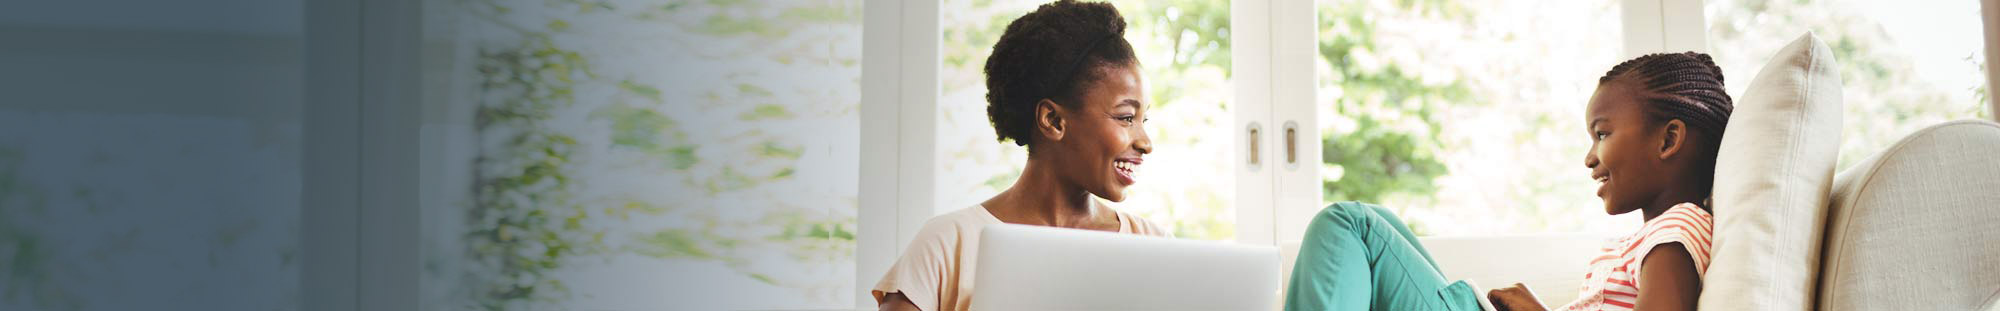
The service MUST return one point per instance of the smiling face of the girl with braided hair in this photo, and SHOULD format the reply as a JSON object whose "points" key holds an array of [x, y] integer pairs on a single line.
{"points": [[1627, 149]]}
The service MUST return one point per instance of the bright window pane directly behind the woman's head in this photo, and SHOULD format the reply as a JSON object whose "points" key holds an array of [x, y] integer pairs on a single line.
{"points": [[1185, 57]]}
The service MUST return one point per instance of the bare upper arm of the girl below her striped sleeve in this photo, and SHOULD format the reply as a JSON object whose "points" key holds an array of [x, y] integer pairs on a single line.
{"points": [[1669, 280]]}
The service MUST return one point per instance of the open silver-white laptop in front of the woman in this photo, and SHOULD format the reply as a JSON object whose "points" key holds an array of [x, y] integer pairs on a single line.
{"points": [[1029, 268]]}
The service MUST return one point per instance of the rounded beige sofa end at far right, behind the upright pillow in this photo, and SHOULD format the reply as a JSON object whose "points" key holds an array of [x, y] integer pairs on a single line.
{"points": [[1917, 224]]}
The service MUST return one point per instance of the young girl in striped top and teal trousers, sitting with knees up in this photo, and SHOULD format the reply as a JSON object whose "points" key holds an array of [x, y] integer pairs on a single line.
{"points": [[1655, 125]]}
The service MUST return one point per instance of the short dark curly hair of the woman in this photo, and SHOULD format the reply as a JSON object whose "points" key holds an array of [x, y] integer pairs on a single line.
{"points": [[1053, 53]]}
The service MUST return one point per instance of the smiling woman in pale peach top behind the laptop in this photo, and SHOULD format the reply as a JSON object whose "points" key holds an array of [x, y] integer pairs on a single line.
{"points": [[1063, 83]]}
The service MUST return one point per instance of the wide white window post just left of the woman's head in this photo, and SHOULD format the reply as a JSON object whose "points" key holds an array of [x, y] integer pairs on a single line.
{"points": [[899, 123]]}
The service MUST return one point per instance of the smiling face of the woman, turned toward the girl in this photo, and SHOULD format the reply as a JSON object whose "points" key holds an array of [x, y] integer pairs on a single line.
{"points": [[1105, 141]]}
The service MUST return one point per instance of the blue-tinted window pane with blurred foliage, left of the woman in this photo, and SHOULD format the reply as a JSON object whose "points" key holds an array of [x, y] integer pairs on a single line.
{"points": [[631, 156]]}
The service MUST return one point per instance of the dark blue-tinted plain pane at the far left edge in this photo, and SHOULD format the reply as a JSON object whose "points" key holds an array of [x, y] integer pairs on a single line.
{"points": [[151, 155]]}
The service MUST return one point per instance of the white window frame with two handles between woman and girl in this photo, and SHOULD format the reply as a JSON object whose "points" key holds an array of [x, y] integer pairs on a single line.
{"points": [[1277, 178]]}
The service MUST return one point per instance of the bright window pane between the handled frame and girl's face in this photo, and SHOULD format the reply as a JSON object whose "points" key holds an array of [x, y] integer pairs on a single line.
{"points": [[1465, 117]]}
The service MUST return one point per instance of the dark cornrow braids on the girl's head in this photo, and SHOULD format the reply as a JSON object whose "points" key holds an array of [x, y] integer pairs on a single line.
{"points": [[1681, 87]]}
